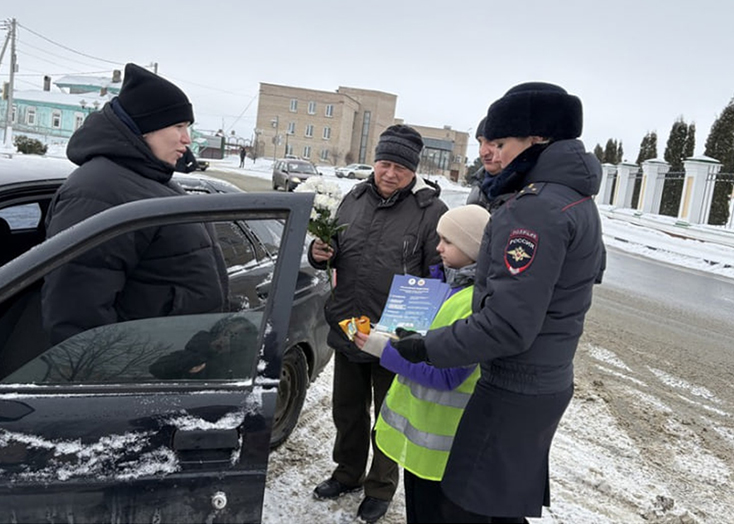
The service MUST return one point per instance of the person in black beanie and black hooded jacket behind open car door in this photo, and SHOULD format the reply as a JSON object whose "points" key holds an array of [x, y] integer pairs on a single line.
{"points": [[127, 152]]}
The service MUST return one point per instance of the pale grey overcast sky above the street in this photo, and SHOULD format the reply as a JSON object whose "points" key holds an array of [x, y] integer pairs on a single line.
{"points": [[636, 65]]}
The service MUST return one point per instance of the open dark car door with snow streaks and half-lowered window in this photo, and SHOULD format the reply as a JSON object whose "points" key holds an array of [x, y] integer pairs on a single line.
{"points": [[104, 426]]}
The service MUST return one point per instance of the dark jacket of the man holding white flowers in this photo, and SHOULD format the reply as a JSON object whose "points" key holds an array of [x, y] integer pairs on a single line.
{"points": [[384, 237]]}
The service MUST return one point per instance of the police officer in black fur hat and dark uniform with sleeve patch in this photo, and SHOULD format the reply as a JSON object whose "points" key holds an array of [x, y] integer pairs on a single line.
{"points": [[541, 254]]}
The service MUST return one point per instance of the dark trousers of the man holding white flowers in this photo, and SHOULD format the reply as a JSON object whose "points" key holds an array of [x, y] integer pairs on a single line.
{"points": [[355, 386]]}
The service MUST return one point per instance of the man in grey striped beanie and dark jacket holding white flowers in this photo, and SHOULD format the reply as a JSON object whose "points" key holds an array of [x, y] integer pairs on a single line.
{"points": [[390, 223]]}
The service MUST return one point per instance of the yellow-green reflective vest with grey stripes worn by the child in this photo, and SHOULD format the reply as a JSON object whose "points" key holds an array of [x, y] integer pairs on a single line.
{"points": [[417, 424]]}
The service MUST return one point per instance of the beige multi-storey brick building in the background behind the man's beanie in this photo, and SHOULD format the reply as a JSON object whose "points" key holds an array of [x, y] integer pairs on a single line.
{"points": [[343, 127]]}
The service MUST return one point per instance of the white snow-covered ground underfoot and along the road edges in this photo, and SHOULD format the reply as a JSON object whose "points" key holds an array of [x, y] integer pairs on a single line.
{"points": [[599, 473]]}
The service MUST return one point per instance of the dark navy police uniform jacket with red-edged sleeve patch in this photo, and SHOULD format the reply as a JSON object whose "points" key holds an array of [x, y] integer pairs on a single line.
{"points": [[540, 256]]}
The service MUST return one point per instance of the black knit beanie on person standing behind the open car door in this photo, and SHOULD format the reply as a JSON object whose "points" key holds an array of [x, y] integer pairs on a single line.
{"points": [[151, 101]]}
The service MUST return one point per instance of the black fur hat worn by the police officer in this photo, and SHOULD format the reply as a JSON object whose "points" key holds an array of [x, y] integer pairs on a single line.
{"points": [[535, 109]]}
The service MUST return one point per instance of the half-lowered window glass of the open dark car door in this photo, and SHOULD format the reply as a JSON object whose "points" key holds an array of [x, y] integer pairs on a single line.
{"points": [[202, 347]]}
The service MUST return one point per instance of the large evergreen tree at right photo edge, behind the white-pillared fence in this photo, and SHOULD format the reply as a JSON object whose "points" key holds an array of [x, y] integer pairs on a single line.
{"points": [[720, 145]]}
